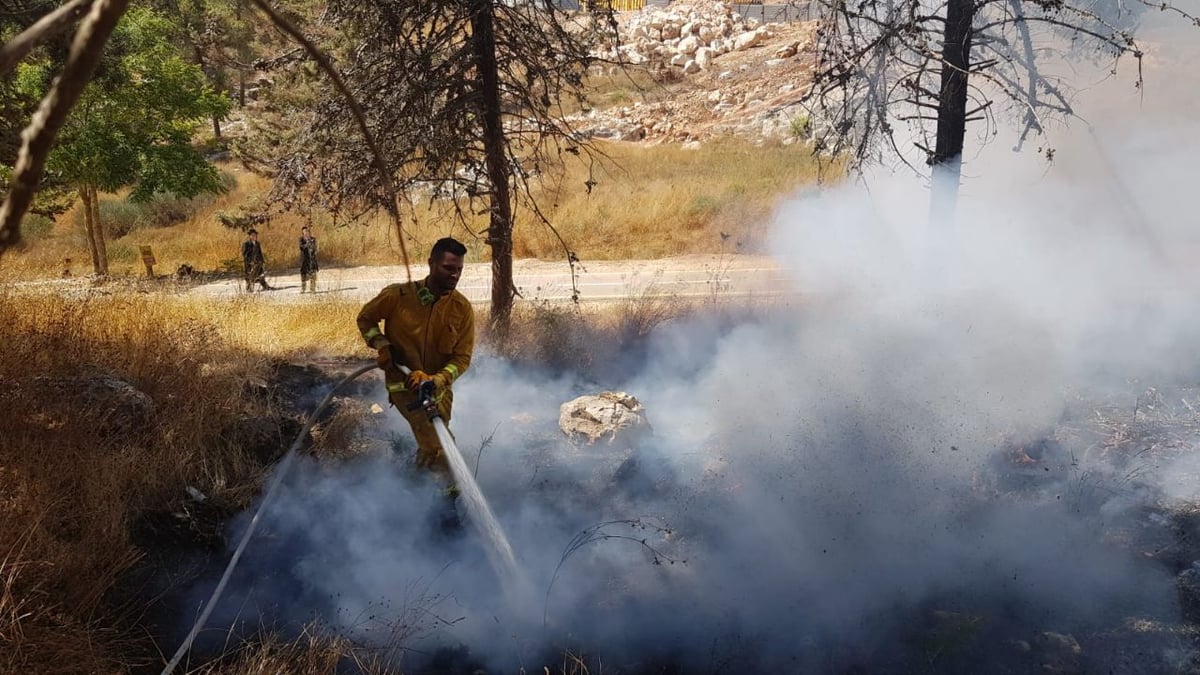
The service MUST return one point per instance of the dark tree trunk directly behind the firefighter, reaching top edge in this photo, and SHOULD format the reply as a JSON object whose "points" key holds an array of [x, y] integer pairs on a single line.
{"points": [[500, 234]]}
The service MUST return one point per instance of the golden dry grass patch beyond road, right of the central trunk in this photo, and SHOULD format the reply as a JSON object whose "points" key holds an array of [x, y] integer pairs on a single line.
{"points": [[667, 201]]}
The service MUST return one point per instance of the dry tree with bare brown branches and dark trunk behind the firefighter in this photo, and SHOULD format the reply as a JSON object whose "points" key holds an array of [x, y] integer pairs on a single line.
{"points": [[465, 100]]}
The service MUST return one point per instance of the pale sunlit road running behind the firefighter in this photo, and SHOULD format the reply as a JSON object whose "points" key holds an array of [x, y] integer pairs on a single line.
{"points": [[688, 277]]}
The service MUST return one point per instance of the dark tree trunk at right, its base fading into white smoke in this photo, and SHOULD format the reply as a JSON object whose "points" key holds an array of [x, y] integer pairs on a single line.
{"points": [[952, 111]]}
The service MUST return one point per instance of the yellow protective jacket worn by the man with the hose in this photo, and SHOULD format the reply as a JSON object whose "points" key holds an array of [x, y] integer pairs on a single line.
{"points": [[436, 334]]}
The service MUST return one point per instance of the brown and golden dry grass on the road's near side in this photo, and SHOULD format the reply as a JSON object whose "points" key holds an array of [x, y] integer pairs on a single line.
{"points": [[69, 494]]}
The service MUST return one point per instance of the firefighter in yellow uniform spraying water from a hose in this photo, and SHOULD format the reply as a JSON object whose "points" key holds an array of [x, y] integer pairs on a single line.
{"points": [[430, 328]]}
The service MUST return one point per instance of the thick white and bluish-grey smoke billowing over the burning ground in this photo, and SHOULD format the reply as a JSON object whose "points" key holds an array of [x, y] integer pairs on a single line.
{"points": [[825, 476]]}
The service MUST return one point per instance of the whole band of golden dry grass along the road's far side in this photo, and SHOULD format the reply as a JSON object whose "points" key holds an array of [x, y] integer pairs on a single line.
{"points": [[647, 202]]}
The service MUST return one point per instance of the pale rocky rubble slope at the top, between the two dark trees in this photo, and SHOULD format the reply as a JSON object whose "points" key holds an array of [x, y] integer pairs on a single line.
{"points": [[717, 74]]}
